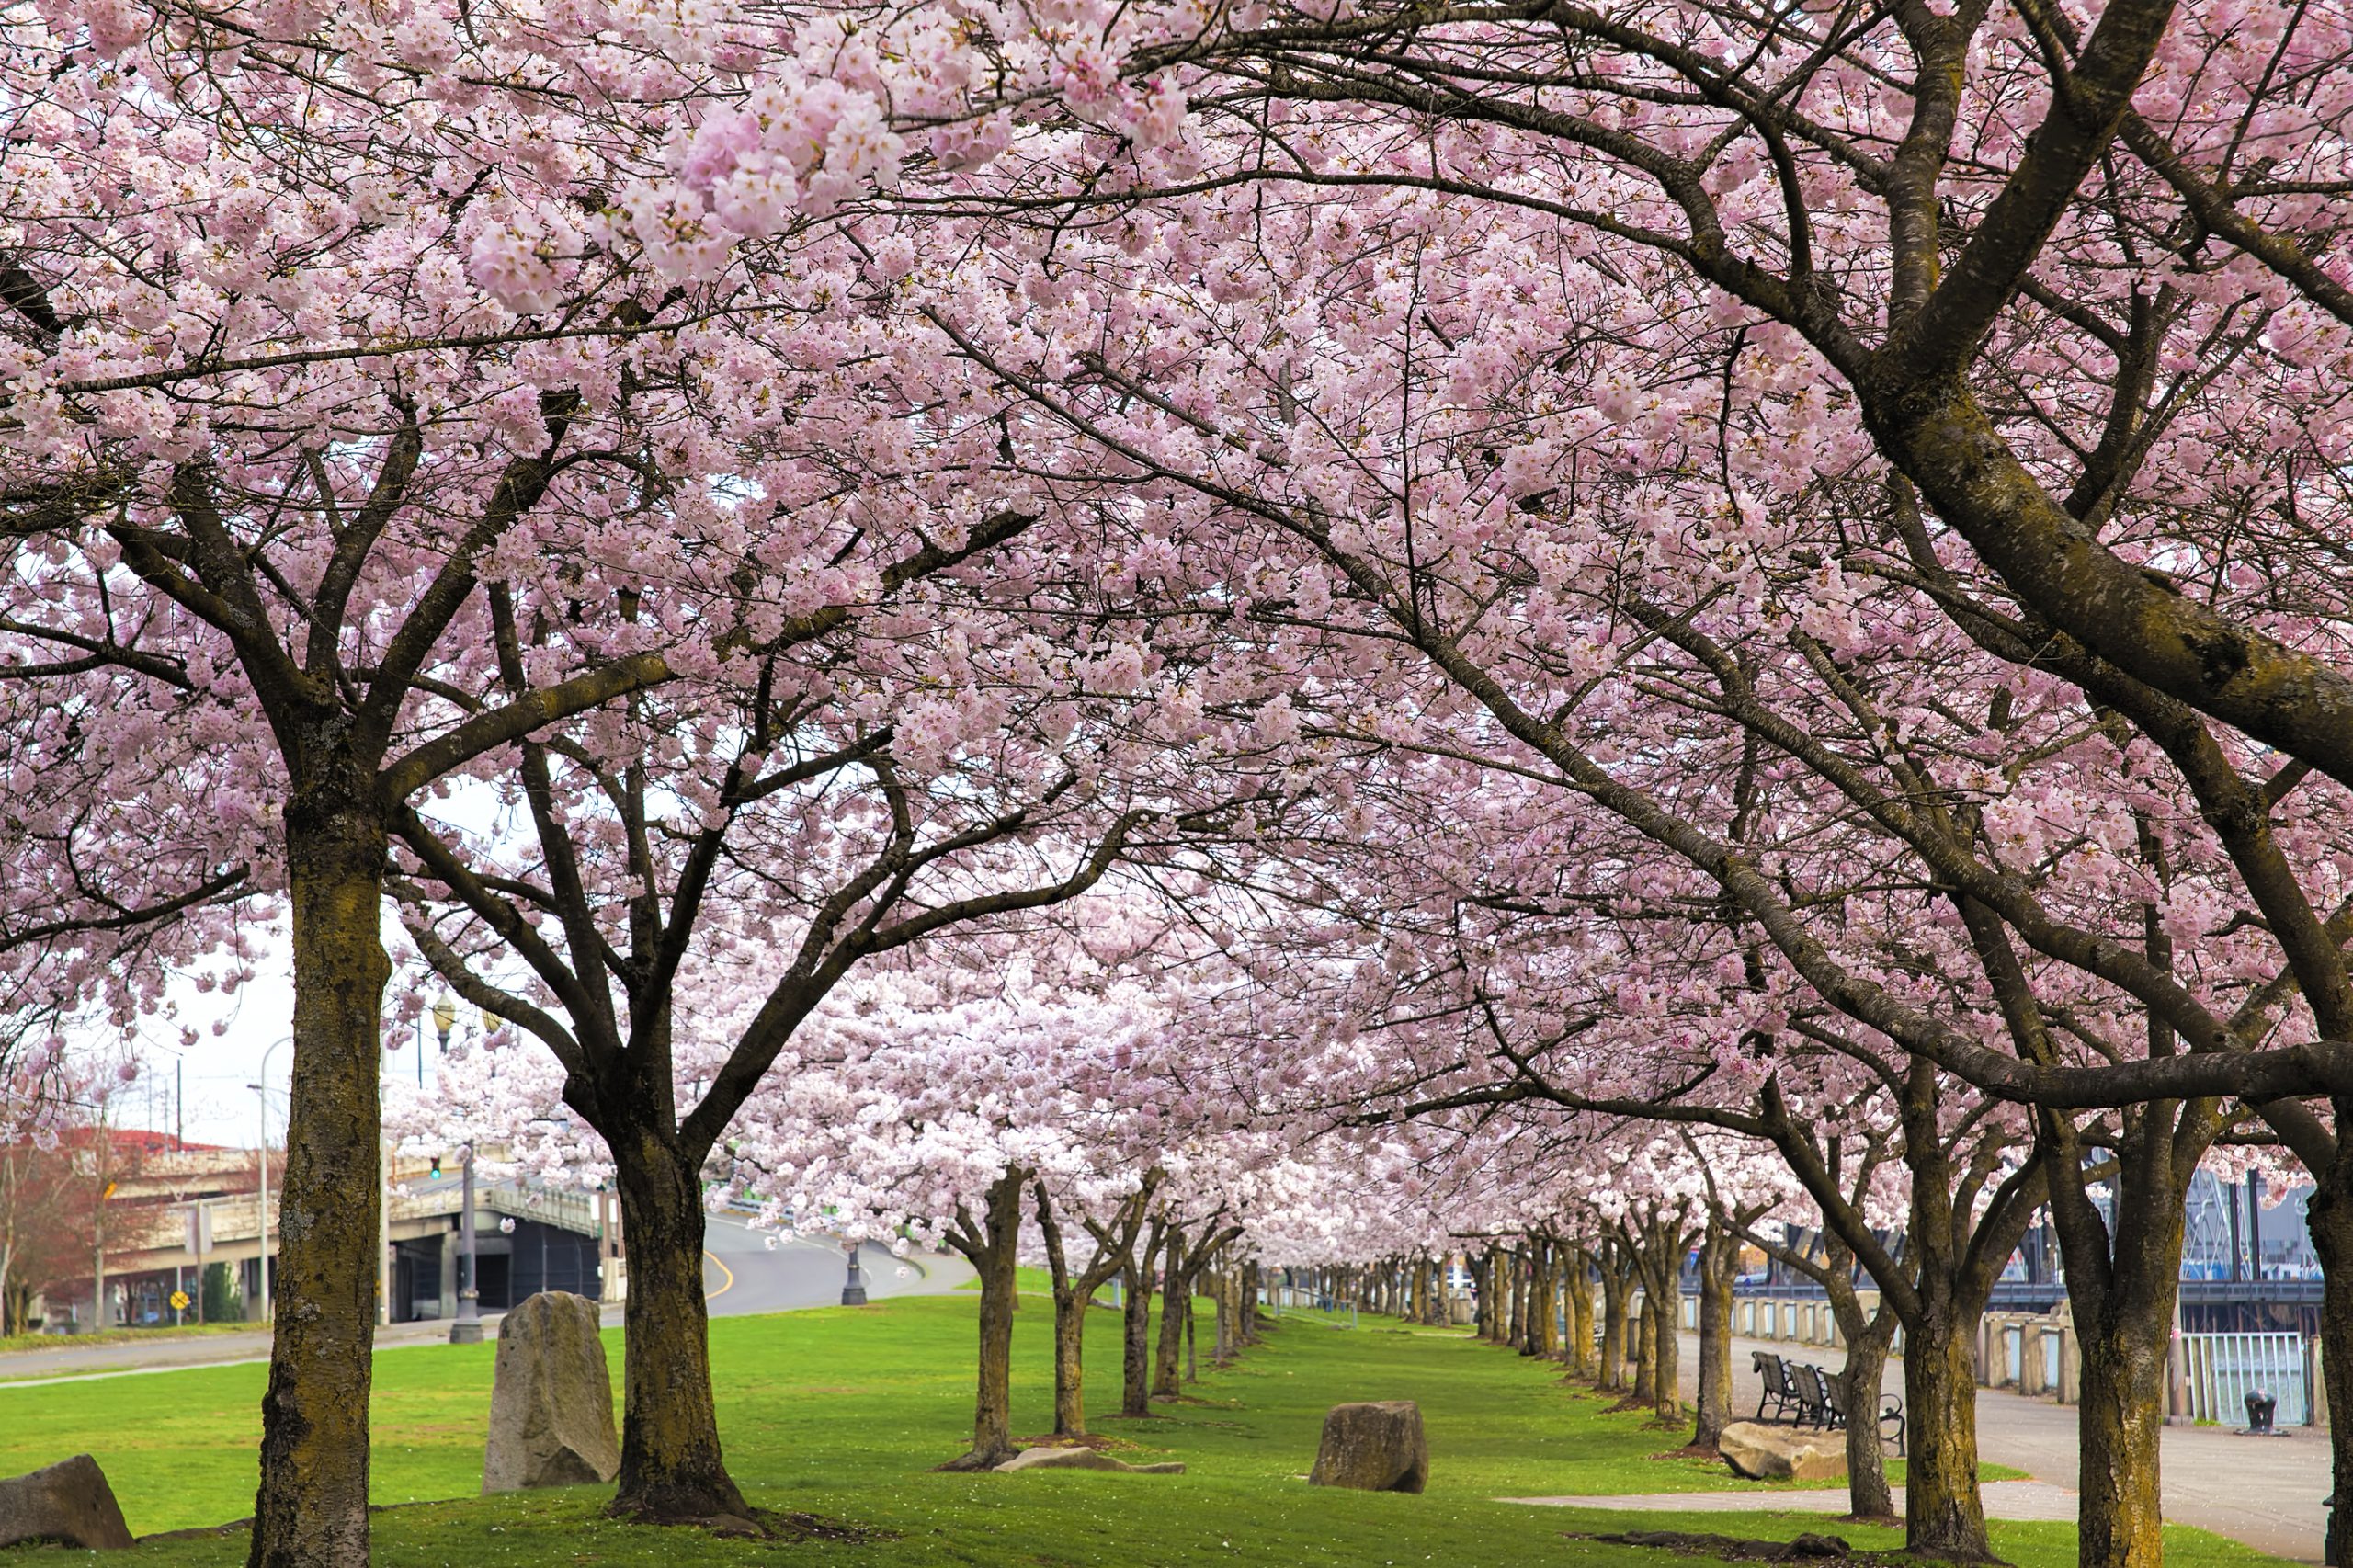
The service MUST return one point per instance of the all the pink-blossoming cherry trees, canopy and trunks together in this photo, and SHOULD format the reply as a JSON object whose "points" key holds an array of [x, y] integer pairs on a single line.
{"points": [[1505, 590]]}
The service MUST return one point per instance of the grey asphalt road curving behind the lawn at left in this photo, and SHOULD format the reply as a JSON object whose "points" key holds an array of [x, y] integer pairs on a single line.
{"points": [[745, 1273]]}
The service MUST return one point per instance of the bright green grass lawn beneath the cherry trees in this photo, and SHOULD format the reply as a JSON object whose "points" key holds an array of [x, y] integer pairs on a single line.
{"points": [[844, 1414]]}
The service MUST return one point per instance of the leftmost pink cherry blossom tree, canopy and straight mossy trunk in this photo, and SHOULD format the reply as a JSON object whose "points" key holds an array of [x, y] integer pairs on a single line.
{"points": [[316, 326]]}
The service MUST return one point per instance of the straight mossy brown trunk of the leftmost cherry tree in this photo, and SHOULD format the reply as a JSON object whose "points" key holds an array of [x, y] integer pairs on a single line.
{"points": [[312, 1506]]}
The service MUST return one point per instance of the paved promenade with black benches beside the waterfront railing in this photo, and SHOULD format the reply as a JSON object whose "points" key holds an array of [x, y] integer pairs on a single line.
{"points": [[2260, 1491]]}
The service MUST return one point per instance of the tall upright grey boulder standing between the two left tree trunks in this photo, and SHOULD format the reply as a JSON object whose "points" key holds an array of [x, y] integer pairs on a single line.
{"points": [[552, 1400]]}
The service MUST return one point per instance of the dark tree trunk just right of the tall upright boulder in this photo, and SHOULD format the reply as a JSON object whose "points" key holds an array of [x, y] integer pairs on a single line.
{"points": [[672, 1463]]}
